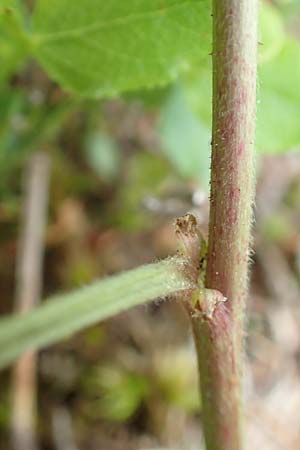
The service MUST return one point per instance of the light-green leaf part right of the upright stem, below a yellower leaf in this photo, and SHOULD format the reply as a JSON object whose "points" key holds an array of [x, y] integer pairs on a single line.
{"points": [[278, 109]]}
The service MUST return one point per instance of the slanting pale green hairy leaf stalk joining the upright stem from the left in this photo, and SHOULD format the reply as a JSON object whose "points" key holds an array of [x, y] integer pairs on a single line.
{"points": [[60, 317]]}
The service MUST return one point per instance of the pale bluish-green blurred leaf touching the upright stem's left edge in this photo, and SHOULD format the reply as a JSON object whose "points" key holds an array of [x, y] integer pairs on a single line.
{"points": [[185, 139]]}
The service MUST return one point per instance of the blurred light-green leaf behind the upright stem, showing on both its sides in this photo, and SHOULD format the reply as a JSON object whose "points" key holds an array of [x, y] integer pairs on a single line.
{"points": [[278, 107]]}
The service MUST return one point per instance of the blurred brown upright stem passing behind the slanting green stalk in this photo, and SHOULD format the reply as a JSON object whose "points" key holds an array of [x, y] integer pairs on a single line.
{"points": [[28, 282]]}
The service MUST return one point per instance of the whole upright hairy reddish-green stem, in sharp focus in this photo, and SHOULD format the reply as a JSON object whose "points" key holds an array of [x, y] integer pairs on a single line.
{"points": [[220, 340]]}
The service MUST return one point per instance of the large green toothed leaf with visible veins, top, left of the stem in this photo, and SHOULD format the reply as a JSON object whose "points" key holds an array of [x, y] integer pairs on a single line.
{"points": [[100, 48]]}
